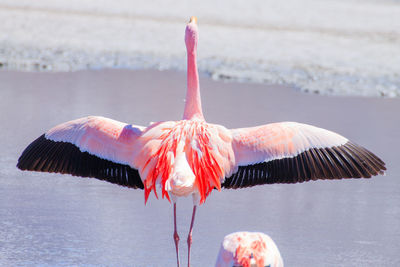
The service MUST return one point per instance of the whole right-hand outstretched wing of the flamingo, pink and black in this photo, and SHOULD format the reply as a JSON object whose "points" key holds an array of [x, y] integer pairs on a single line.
{"points": [[290, 152]]}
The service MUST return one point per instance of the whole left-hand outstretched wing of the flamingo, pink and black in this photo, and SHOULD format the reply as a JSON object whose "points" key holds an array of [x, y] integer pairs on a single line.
{"points": [[88, 147]]}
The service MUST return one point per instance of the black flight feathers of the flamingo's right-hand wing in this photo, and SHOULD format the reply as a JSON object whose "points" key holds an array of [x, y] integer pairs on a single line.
{"points": [[345, 161]]}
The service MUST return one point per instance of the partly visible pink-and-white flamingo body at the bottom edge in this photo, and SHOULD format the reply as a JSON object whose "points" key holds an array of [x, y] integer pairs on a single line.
{"points": [[248, 249]]}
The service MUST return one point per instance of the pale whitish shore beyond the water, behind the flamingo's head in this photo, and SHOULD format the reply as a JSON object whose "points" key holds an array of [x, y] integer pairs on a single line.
{"points": [[336, 47]]}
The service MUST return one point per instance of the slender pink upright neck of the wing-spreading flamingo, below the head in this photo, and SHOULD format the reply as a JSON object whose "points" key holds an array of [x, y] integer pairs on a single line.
{"points": [[193, 100]]}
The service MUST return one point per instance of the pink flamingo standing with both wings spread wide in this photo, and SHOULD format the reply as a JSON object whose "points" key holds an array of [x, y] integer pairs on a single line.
{"points": [[193, 157]]}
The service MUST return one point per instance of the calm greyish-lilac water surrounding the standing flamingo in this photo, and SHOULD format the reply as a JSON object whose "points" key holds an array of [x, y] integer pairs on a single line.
{"points": [[60, 220]]}
